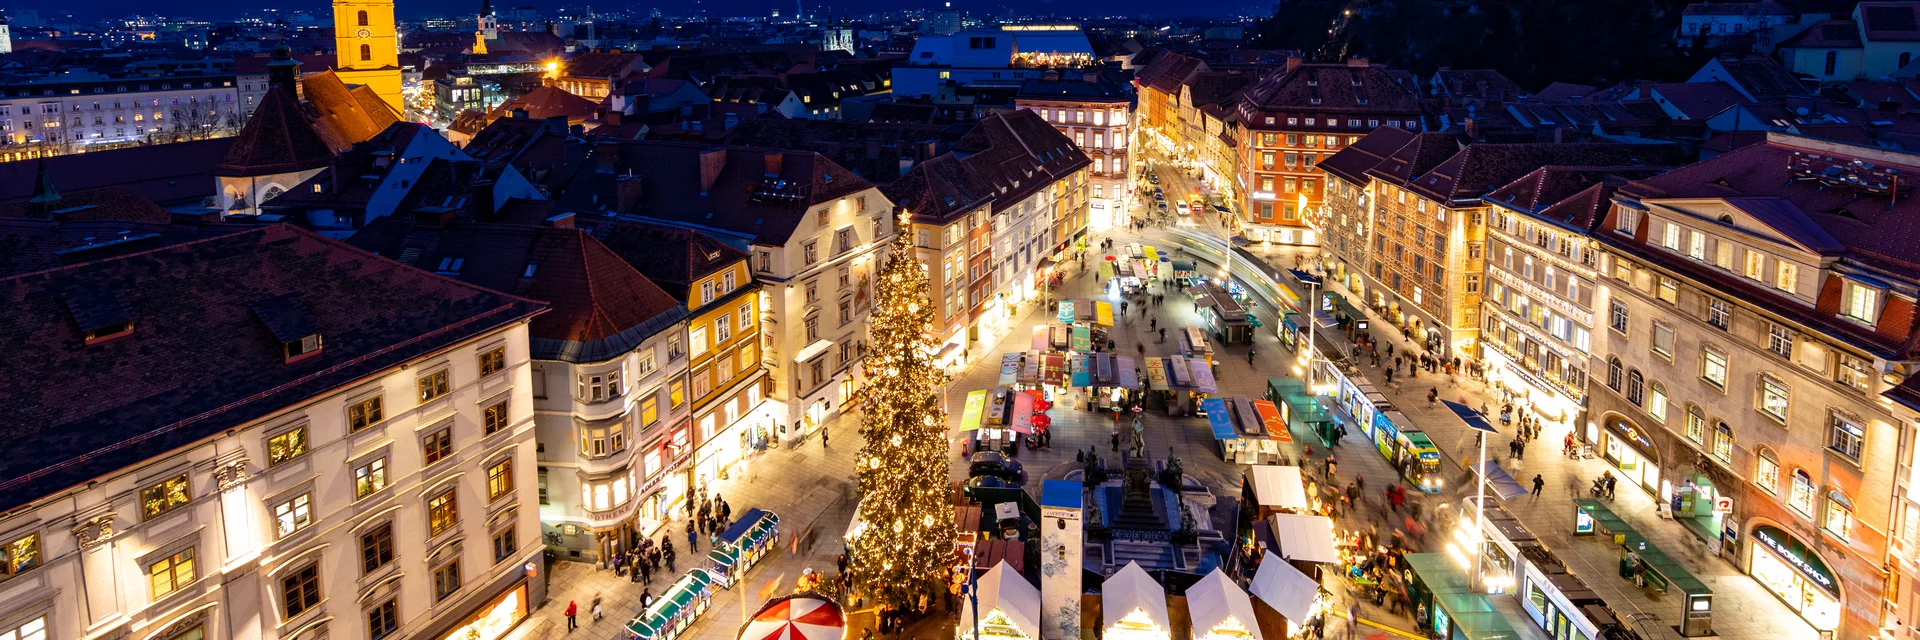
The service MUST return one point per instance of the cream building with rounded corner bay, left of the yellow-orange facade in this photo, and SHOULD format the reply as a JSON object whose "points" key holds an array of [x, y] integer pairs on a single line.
{"points": [[610, 370]]}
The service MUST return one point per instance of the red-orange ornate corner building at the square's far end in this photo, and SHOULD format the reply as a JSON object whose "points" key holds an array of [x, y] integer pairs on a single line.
{"points": [[1293, 120]]}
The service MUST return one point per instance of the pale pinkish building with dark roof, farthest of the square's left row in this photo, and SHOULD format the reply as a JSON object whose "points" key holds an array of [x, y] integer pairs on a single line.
{"points": [[1095, 111]]}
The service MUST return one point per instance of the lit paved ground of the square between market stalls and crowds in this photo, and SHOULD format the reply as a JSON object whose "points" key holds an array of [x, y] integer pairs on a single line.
{"points": [[811, 487]]}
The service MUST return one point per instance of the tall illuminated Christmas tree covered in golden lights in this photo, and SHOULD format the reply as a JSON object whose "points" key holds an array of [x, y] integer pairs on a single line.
{"points": [[907, 547]]}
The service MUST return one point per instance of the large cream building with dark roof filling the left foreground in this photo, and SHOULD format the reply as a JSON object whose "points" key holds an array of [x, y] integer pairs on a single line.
{"points": [[347, 456]]}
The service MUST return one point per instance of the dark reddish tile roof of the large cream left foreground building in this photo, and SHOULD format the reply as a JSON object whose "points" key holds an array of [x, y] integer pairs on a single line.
{"points": [[201, 360]]}
